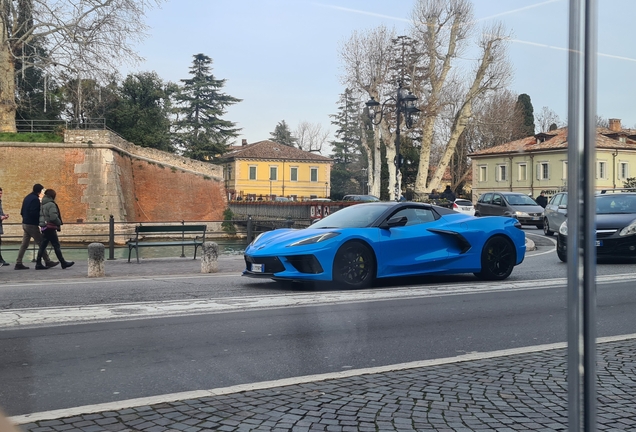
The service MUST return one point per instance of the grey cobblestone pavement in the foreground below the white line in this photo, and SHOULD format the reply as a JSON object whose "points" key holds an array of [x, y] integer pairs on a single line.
{"points": [[523, 392]]}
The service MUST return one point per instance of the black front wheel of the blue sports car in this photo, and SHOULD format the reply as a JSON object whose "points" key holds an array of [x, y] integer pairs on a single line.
{"points": [[354, 266]]}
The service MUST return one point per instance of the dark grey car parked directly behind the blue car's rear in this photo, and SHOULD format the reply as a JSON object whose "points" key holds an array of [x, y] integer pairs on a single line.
{"points": [[511, 204]]}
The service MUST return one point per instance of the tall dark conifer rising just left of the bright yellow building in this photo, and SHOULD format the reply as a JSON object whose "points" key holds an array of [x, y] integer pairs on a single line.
{"points": [[200, 131]]}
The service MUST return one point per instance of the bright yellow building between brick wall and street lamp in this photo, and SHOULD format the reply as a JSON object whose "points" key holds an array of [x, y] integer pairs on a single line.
{"points": [[266, 170]]}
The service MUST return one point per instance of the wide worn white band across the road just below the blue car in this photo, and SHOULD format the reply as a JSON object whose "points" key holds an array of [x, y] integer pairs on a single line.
{"points": [[55, 316]]}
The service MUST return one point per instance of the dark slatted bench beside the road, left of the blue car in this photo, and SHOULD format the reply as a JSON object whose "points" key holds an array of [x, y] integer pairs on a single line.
{"points": [[141, 231]]}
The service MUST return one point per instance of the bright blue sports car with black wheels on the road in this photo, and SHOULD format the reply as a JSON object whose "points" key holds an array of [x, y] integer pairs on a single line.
{"points": [[358, 244]]}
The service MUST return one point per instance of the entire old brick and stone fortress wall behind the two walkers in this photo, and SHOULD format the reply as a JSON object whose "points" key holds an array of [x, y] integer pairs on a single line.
{"points": [[97, 174]]}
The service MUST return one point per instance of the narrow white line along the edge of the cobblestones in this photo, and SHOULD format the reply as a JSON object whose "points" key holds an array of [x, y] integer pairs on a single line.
{"points": [[151, 400]]}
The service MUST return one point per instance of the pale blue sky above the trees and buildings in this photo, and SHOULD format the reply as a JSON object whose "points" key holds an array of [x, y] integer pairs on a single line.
{"points": [[281, 57]]}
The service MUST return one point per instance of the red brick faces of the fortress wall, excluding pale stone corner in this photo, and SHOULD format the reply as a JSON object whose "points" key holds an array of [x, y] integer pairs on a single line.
{"points": [[150, 191]]}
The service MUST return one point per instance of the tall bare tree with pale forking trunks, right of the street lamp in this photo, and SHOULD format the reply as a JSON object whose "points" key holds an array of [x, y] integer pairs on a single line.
{"points": [[443, 28]]}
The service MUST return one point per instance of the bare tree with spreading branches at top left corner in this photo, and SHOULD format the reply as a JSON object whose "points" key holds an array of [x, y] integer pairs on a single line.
{"points": [[84, 39]]}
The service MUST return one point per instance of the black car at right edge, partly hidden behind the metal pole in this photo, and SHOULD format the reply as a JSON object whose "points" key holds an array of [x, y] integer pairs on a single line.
{"points": [[615, 227]]}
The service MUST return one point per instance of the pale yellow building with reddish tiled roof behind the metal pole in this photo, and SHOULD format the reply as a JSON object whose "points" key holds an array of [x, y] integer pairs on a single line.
{"points": [[540, 162]]}
